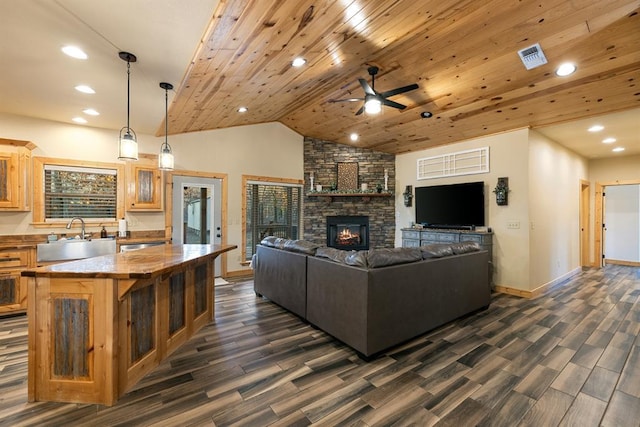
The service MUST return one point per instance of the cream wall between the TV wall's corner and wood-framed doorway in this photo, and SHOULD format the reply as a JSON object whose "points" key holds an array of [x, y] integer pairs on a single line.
{"points": [[555, 174]]}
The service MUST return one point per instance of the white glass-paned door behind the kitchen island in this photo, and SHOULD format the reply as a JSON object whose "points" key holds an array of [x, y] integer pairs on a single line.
{"points": [[197, 211]]}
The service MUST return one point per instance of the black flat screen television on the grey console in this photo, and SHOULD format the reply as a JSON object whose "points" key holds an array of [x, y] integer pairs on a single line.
{"points": [[450, 206]]}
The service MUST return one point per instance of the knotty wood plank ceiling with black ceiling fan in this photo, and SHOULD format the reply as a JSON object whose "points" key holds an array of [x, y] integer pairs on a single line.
{"points": [[461, 53]]}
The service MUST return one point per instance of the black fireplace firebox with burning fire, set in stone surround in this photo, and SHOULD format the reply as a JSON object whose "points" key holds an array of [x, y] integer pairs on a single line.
{"points": [[348, 232]]}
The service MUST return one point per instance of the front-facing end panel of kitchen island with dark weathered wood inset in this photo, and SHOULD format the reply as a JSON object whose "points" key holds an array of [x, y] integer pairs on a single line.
{"points": [[70, 339]]}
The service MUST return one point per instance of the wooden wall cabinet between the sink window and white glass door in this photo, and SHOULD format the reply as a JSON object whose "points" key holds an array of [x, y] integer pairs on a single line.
{"points": [[144, 184]]}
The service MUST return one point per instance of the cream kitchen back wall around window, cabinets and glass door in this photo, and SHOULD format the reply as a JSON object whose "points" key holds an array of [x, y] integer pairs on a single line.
{"points": [[269, 149]]}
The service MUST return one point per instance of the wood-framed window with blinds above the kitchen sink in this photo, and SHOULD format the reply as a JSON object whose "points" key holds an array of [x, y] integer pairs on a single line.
{"points": [[76, 191]]}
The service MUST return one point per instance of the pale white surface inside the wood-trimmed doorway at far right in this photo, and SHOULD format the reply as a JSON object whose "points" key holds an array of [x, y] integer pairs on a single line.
{"points": [[622, 219]]}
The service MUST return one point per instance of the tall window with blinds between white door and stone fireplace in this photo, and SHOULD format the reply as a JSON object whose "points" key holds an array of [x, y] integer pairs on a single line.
{"points": [[272, 209]]}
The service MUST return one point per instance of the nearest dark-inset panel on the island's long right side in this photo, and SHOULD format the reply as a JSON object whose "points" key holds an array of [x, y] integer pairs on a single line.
{"points": [[139, 332]]}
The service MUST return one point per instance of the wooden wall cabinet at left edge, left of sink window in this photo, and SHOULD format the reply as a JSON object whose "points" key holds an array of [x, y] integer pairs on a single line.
{"points": [[15, 175]]}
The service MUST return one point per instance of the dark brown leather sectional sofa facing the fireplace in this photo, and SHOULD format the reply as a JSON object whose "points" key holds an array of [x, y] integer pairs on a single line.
{"points": [[385, 297]]}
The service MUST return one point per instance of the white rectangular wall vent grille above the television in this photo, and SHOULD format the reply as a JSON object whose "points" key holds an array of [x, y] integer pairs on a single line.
{"points": [[466, 162]]}
